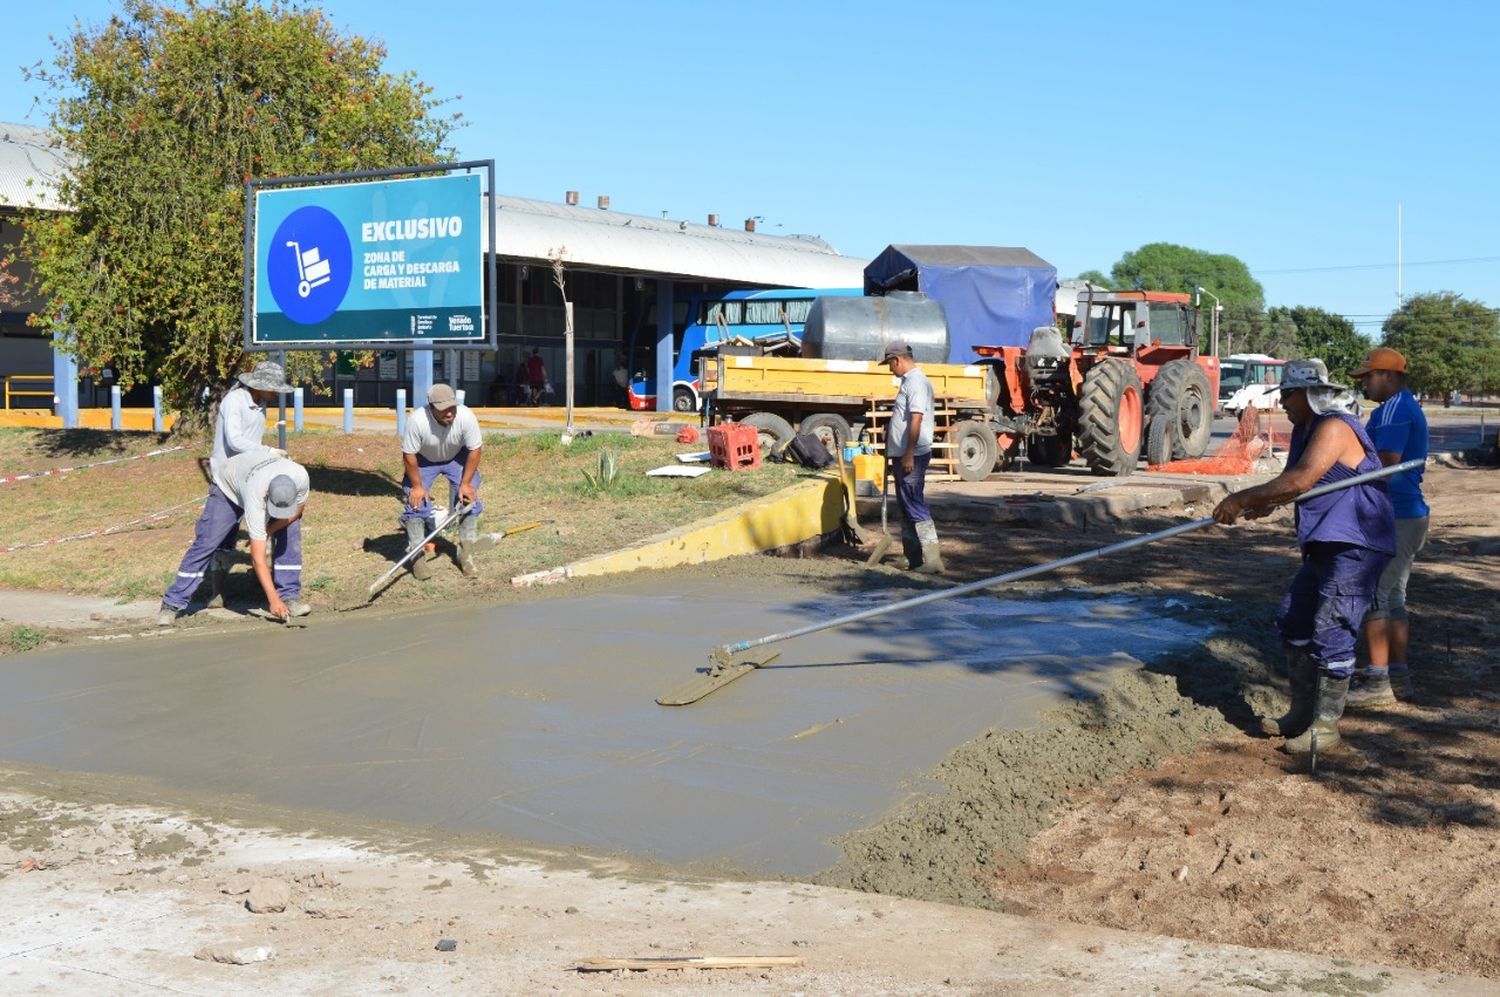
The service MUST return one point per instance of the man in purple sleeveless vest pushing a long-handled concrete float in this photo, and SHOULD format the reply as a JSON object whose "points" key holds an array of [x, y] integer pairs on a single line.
{"points": [[1346, 540]]}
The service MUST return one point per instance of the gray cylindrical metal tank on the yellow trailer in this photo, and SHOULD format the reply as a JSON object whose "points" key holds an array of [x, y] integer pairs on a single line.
{"points": [[859, 329]]}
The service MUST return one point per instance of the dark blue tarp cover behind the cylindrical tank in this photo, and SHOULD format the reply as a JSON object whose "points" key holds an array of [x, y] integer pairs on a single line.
{"points": [[994, 296]]}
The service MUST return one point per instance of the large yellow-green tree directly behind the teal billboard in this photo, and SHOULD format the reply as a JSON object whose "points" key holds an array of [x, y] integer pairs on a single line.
{"points": [[166, 112]]}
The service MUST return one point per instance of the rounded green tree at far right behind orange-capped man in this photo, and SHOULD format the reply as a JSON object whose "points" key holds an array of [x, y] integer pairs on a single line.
{"points": [[1450, 343]]}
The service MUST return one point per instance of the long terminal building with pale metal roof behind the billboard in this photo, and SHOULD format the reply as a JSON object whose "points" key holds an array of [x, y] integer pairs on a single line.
{"points": [[617, 271]]}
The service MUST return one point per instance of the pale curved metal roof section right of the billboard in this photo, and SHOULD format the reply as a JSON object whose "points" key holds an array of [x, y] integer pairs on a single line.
{"points": [[614, 241]]}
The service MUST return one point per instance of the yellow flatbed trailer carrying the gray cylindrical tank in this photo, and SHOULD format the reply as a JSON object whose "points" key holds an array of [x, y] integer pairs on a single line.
{"points": [[844, 401]]}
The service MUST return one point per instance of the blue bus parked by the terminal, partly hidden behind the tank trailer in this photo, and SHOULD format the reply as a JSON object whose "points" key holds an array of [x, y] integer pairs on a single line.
{"points": [[707, 320]]}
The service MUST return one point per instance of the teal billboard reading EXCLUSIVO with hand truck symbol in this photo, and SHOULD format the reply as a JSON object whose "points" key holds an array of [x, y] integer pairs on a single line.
{"points": [[362, 263]]}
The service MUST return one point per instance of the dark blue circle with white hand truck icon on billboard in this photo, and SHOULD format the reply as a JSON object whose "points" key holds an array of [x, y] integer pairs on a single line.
{"points": [[310, 265]]}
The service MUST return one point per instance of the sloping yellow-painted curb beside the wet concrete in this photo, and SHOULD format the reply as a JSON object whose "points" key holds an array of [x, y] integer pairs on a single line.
{"points": [[797, 513]]}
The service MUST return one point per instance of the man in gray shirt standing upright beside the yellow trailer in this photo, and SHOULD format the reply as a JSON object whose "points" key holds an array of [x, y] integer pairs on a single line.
{"points": [[910, 449]]}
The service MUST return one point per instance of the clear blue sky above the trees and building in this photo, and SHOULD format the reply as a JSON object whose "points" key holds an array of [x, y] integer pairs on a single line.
{"points": [[1285, 134]]}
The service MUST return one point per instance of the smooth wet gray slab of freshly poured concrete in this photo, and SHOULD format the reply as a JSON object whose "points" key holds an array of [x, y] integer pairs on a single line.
{"points": [[538, 722]]}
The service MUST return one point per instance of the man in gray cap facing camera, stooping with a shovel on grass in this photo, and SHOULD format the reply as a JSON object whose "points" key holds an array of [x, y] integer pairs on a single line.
{"points": [[442, 440]]}
